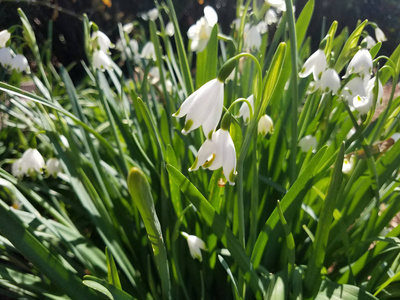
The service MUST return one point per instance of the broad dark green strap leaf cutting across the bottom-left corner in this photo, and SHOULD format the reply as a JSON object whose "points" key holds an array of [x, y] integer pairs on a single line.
{"points": [[40, 256]]}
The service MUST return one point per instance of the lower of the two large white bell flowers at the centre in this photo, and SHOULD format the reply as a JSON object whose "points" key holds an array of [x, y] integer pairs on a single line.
{"points": [[217, 152]]}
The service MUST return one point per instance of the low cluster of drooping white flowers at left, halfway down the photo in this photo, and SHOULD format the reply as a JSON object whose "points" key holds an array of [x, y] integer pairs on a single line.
{"points": [[32, 162]]}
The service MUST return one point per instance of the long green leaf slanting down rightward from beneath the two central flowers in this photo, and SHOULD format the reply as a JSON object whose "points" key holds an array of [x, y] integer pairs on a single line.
{"points": [[217, 224]]}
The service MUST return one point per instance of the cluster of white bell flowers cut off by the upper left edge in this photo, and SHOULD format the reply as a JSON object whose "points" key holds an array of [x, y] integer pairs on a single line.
{"points": [[8, 59]]}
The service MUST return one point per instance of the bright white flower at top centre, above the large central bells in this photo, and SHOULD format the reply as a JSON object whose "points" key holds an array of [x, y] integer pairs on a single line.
{"points": [[200, 32]]}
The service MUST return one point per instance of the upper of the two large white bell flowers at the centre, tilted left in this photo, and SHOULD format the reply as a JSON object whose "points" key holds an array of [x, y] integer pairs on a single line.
{"points": [[203, 108]]}
